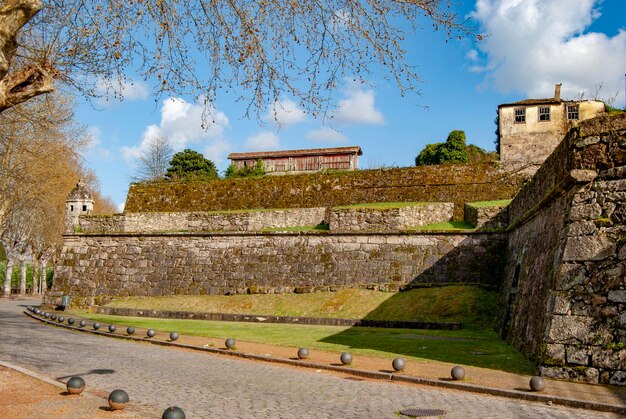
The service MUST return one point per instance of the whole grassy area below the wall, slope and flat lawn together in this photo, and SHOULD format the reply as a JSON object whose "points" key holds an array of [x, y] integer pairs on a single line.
{"points": [[476, 344]]}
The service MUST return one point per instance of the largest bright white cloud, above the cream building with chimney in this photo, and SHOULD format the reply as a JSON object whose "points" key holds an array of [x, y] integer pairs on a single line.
{"points": [[533, 44]]}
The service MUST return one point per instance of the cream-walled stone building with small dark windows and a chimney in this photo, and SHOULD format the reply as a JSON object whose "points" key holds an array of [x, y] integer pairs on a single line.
{"points": [[531, 129]]}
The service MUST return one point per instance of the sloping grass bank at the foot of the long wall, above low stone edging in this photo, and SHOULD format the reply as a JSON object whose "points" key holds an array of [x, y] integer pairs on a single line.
{"points": [[472, 306]]}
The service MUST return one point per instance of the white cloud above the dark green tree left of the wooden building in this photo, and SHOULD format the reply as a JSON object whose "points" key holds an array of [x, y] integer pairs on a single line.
{"points": [[184, 125]]}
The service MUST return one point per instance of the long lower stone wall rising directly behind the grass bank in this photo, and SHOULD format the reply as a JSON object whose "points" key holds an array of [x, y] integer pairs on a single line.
{"points": [[96, 267]]}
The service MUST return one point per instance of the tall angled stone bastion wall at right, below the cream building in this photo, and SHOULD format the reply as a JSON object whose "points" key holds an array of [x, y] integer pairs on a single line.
{"points": [[564, 282]]}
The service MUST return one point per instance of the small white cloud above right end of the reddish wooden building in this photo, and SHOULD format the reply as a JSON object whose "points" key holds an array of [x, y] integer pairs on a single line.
{"points": [[358, 108]]}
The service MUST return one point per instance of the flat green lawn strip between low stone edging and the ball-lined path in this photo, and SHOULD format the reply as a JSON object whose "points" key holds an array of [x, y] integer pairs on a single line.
{"points": [[477, 347]]}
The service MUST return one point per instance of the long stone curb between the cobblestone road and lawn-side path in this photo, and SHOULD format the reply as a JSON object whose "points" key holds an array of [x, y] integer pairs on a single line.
{"points": [[512, 394]]}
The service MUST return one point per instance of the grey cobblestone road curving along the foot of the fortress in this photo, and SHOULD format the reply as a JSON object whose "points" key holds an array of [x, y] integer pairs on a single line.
{"points": [[214, 387]]}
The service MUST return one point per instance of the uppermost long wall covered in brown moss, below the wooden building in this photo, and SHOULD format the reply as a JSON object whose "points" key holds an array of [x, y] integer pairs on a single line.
{"points": [[449, 183]]}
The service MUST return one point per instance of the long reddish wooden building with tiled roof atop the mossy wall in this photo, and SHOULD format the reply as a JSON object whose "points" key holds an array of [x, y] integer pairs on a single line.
{"points": [[300, 161]]}
